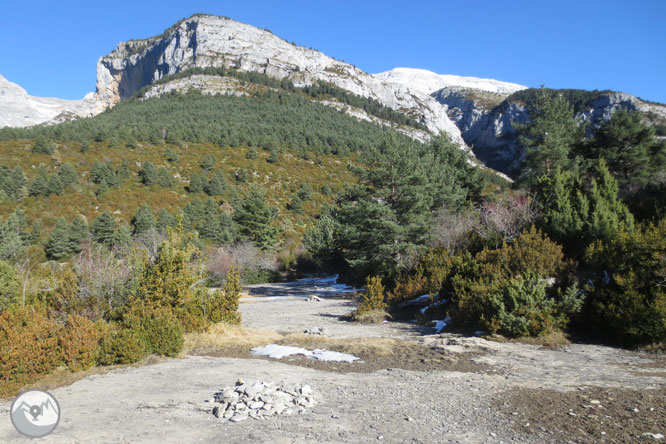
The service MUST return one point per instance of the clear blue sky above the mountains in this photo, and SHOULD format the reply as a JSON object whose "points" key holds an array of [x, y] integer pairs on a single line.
{"points": [[51, 48]]}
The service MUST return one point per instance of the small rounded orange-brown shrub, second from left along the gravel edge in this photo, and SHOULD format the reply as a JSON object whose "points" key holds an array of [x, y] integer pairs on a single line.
{"points": [[78, 343]]}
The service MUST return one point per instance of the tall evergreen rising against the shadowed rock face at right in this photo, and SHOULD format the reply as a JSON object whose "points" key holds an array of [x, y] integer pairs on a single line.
{"points": [[549, 137]]}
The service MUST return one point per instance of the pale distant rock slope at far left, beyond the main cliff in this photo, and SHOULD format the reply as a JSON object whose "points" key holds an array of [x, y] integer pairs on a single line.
{"points": [[18, 109]]}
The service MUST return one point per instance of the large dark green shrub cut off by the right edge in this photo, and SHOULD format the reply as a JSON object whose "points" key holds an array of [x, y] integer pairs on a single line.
{"points": [[627, 300]]}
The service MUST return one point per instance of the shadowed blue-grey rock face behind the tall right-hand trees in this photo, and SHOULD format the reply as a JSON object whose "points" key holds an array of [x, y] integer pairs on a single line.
{"points": [[487, 121]]}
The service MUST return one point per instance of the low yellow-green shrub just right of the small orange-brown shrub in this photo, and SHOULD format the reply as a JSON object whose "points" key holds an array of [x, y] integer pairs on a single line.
{"points": [[119, 345]]}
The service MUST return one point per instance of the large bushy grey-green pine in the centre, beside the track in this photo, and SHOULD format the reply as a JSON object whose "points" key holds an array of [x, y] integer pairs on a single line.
{"points": [[388, 215]]}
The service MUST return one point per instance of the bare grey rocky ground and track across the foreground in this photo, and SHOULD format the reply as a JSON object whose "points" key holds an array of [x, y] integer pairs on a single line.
{"points": [[420, 388]]}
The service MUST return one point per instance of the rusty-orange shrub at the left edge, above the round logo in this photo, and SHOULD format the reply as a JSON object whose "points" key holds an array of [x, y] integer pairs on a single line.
{"points": [[28, 347]]}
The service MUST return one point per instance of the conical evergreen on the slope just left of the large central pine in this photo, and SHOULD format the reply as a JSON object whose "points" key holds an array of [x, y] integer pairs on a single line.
{"points": [[255, 218]]}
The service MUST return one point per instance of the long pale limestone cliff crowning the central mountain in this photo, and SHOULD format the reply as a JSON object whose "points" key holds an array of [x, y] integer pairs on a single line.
{"points": [[203, 41]]}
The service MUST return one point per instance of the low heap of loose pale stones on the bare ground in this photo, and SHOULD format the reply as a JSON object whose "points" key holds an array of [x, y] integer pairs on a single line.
{"points": [[261, 400]]}
